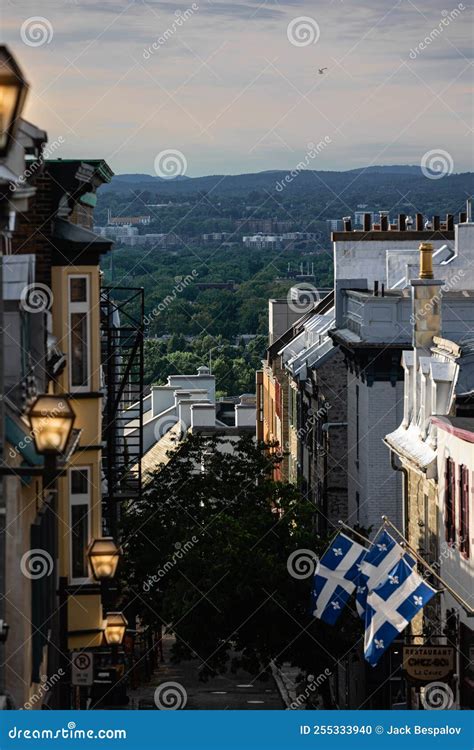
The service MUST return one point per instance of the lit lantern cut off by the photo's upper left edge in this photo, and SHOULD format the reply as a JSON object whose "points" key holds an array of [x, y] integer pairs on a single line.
{"points": [[13, 90]]}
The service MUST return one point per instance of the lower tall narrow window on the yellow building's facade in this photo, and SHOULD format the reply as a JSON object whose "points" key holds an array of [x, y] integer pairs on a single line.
{"points": [[80, 522]]}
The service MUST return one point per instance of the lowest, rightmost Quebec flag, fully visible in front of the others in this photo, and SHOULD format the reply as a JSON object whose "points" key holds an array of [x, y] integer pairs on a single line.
{"points": [[390, 606]]}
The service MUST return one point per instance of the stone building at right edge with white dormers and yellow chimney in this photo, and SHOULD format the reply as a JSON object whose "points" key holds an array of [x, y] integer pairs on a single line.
{"points": [[433, 453]]}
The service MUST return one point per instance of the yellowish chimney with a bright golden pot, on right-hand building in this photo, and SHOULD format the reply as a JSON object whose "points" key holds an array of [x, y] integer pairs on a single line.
{"points": [[426, 302]]}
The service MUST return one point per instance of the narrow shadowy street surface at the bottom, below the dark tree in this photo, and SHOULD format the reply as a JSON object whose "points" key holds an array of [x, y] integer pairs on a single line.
{"points": [[229, 691]]}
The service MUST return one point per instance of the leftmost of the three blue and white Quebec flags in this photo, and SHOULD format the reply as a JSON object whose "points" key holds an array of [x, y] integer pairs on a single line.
{"points": [[335, 577]]}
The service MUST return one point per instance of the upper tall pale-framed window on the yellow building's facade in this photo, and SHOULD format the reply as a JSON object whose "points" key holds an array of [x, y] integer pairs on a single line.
{"points": [[79, 354]]}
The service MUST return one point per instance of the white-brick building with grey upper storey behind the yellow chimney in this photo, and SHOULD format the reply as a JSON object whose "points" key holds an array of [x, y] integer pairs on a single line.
{"points": [[373, 326]]}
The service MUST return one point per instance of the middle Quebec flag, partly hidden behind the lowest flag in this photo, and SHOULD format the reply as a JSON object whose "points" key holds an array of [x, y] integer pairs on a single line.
{"points": [[379, 560]]}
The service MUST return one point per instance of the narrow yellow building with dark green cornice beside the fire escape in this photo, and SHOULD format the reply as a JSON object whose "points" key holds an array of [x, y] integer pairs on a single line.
{"points": [[76, 326]]}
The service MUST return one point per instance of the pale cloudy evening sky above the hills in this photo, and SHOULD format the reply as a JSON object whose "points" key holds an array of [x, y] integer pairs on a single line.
{"points": [[216, 87]]}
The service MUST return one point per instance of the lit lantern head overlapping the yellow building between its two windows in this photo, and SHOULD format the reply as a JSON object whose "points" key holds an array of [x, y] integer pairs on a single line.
{"points": [[51, 419]]}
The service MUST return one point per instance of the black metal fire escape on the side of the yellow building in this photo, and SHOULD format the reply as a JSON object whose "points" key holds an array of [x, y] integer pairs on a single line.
{"points": [[122, 314]]}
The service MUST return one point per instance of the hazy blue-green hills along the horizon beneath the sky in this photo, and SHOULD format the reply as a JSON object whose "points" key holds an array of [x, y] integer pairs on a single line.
{"points": [[306, 196]]}
